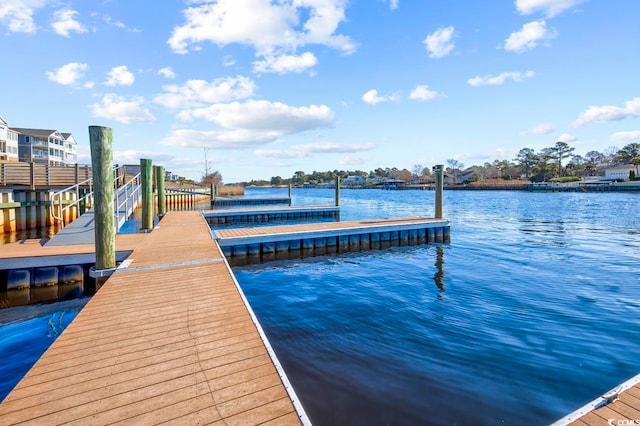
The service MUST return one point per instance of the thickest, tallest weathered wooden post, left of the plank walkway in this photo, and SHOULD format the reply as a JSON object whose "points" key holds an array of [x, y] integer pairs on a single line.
{"points": [[101, 140]]}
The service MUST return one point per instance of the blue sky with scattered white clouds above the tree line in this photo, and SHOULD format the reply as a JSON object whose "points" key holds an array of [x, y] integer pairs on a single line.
{"points": [[266, 88]]}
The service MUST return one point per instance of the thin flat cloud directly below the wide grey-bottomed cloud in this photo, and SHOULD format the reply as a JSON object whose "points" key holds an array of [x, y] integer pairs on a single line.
{"points": [[226, 139]]}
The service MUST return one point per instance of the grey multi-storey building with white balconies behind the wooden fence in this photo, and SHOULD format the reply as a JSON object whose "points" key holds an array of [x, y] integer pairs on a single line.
{"points": [[46, 146]]}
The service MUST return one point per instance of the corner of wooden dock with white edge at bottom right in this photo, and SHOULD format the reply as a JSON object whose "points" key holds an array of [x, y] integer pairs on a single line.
{"points": [[620, 407]]}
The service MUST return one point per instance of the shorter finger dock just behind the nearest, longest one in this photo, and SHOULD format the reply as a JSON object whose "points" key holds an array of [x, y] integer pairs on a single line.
{"points": [[270, 214]]}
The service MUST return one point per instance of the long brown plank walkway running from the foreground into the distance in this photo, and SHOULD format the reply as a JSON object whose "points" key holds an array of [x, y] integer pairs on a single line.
{"points": [[169, 339]]}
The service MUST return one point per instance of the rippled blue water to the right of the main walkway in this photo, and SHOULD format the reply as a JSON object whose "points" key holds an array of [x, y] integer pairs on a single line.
{"points": [[531, 311]]}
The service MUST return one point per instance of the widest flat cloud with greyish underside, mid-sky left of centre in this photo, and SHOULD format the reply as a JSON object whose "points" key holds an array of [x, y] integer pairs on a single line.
{"points": [[263, 116]]}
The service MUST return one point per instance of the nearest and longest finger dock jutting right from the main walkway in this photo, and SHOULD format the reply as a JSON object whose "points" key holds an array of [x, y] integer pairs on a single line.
{"points": [[323, 238]]}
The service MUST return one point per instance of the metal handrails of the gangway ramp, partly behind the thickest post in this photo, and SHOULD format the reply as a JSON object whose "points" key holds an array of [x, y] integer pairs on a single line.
{"points": [[127, 196]]}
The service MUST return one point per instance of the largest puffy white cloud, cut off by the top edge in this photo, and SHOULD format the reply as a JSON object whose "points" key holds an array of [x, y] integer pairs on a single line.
{"points": [[271, 28]]}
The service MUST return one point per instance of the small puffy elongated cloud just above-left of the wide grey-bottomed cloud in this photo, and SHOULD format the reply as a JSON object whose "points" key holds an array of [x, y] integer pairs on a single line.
{"points": [[196, 93]]}
